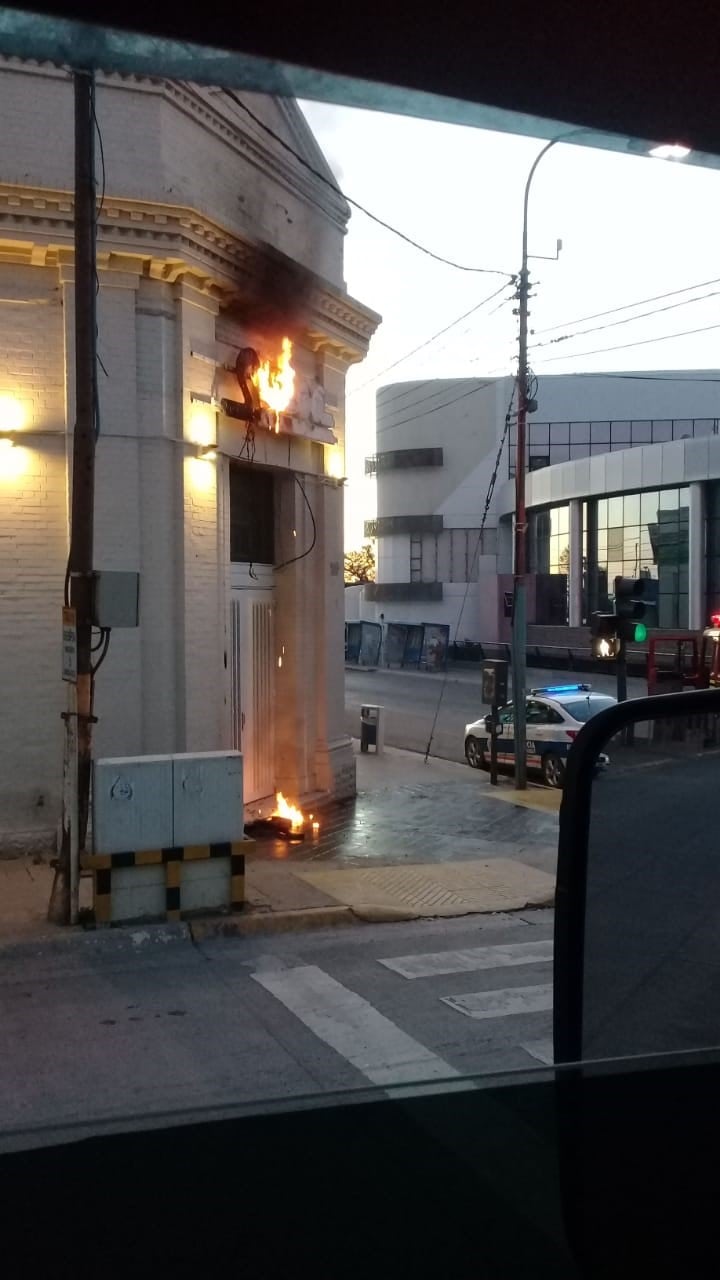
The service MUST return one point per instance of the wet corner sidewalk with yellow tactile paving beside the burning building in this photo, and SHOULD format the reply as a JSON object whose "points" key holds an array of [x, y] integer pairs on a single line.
{"points": [[421, 840]]}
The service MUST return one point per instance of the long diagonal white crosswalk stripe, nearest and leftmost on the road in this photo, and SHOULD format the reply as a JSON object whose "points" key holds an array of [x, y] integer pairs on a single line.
{"points": [[353, 1027]]}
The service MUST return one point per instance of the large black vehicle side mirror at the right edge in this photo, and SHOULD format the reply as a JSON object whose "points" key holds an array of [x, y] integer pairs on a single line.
{"points": [[637, 966]]}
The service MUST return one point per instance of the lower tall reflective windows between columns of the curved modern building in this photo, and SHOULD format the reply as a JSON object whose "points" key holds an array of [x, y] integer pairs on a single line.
{"points": [[626, 536]]}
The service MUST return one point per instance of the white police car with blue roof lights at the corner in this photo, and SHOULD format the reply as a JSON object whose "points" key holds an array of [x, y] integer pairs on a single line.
{"points": [[555, 716]]}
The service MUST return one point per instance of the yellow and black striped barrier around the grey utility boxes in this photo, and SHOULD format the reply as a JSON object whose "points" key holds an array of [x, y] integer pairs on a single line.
{"points": [[104, 865]]}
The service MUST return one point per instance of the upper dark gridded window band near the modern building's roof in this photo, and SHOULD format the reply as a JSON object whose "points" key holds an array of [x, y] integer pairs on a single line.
{"points": [[560, 442]]}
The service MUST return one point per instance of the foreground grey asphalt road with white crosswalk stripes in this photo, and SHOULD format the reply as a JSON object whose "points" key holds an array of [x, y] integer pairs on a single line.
{"points": [[108, 1027]]}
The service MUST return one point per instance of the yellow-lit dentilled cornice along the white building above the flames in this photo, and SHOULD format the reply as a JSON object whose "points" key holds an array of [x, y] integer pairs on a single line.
{"points": [[172, 243]]}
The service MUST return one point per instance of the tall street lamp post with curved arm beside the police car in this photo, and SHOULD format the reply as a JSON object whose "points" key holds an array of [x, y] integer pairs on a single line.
{"points": [[521, 598]]}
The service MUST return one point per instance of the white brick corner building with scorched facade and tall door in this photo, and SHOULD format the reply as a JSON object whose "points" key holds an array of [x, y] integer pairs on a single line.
{"points": [[211, 239]]}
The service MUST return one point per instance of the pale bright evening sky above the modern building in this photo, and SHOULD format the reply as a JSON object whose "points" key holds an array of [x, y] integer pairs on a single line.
{"points": [[632, 228]]}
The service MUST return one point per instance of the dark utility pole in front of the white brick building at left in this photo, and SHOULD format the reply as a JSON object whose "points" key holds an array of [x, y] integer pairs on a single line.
{"points": [[80, 583]]}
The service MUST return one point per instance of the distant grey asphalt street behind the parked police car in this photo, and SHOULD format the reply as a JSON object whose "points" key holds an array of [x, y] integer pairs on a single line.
{"points": [[412, 700]]}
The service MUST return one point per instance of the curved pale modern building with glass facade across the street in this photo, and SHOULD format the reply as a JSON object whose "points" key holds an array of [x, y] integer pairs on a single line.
{"points": [[625, 479]]}
